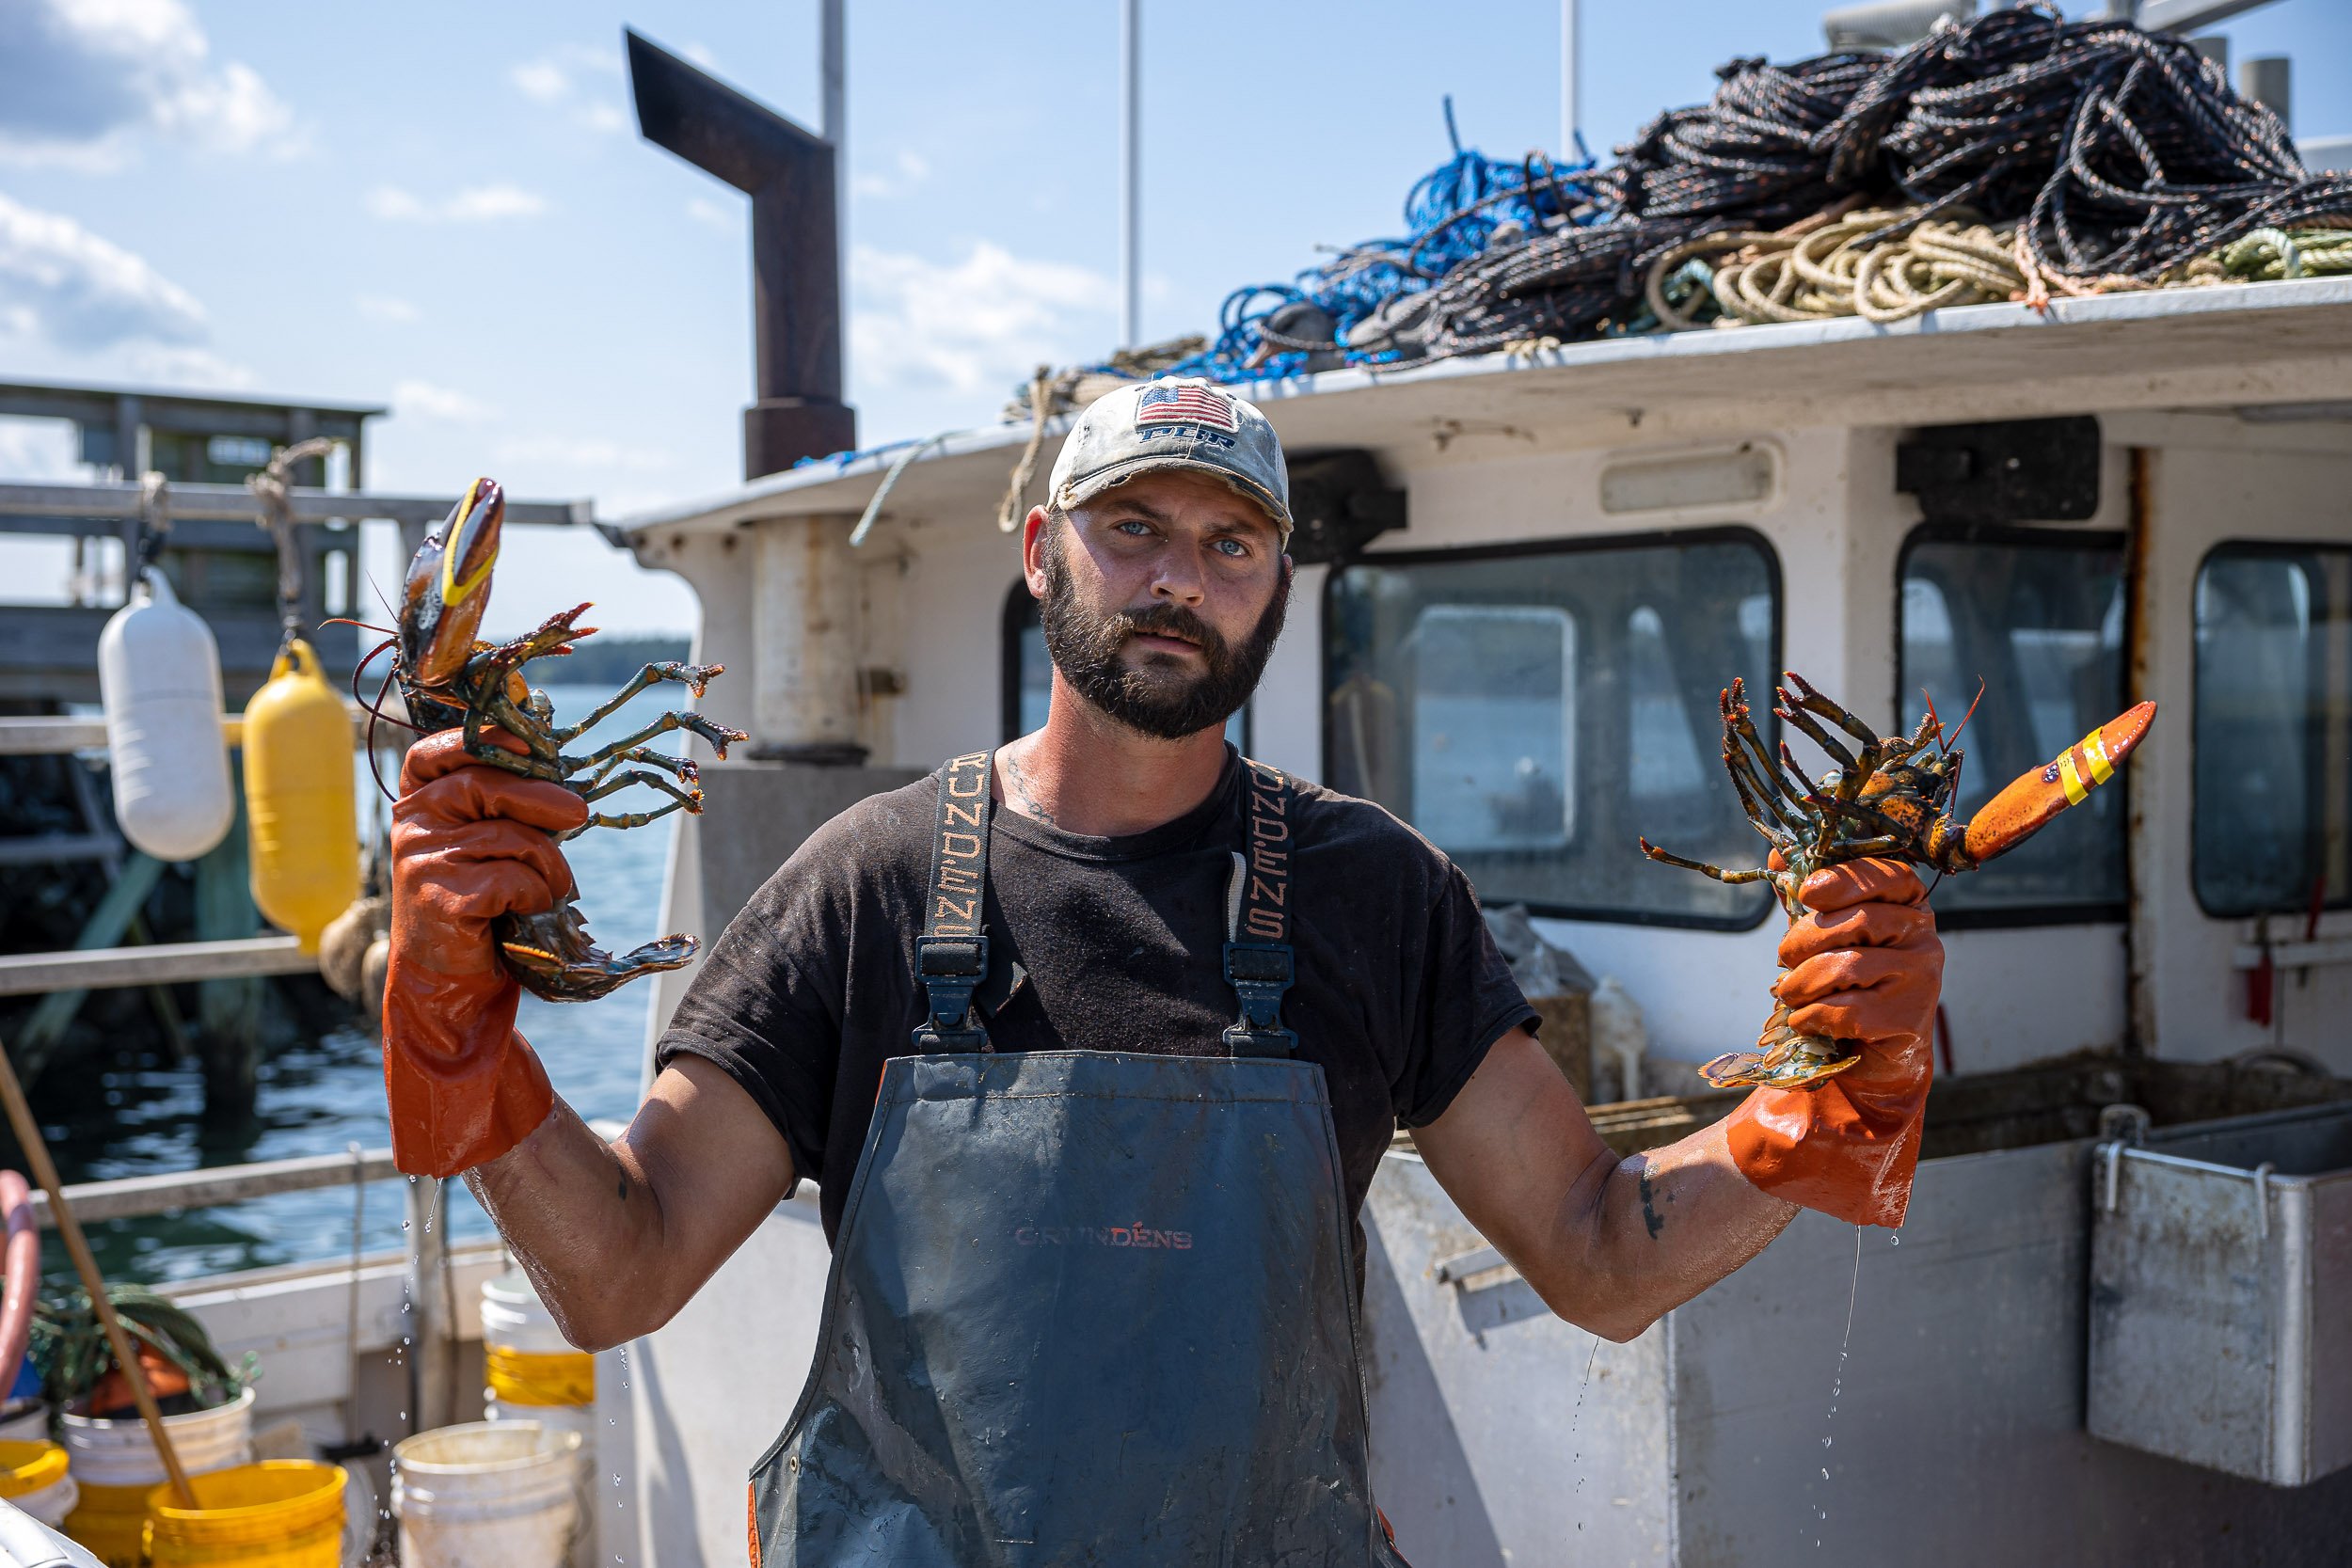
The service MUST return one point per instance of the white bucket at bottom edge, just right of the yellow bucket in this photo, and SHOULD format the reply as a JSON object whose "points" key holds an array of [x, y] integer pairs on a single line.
{"points": [[486, 1496]]}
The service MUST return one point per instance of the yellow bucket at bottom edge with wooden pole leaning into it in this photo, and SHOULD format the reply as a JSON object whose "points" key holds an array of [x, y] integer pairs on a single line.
{"points": [[269, 1515]]}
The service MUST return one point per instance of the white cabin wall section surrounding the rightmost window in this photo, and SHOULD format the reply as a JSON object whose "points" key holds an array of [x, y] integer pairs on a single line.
{"points": [[2193, 996]]}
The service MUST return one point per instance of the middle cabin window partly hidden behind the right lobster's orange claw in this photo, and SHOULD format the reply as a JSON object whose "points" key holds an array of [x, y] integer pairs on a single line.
{"points": [[2036, 622]]}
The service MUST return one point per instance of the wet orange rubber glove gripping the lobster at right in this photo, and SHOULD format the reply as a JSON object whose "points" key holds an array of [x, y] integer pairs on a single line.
{"points": [[1864, 965]]}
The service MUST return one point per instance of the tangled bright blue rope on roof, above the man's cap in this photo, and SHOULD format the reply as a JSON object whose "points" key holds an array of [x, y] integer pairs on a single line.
{"points": [[1452, 215]]}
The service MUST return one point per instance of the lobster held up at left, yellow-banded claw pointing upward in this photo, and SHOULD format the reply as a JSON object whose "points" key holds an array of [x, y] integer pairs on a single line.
{"points": [[450, 678]]}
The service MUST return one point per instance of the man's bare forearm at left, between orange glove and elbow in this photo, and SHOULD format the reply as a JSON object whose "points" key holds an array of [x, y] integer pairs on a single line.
{"points": [[582, 1219]]}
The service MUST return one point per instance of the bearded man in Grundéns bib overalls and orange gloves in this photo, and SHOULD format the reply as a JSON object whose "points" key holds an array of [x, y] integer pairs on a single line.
{"points": [[1095, 1045]]}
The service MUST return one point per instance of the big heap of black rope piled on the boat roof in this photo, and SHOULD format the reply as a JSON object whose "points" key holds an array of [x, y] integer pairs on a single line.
{"points": [[2123, 154]]}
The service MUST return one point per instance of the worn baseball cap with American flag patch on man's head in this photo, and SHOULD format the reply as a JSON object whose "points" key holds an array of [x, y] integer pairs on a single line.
{"points": [[1175, 424]]}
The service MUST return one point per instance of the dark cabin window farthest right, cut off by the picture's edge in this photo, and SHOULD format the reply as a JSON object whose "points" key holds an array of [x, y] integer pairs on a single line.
{"points": [[2273, 730]]}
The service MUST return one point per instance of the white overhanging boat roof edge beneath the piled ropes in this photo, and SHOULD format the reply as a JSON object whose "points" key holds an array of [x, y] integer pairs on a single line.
{"points": [[2280, 347]]}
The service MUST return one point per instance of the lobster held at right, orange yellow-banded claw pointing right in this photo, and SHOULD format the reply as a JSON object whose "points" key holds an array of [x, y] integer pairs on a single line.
{"points": [[1883, 800]]}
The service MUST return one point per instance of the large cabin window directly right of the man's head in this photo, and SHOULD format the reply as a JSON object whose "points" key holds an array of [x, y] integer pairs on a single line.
{"points": [[1537, 711]]}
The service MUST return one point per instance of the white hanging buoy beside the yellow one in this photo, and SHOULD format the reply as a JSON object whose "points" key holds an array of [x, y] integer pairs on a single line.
{"points": [[161, 683]]}
